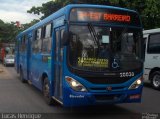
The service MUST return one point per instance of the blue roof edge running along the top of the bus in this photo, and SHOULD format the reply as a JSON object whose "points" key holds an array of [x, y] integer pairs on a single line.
{"points": [[67, 9]]}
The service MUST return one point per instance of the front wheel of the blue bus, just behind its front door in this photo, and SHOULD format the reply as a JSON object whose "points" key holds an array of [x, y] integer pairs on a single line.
{"points": [[46, 92]]}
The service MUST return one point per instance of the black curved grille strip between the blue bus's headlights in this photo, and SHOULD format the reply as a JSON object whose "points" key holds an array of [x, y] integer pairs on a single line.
{"points": [[106, 80]]}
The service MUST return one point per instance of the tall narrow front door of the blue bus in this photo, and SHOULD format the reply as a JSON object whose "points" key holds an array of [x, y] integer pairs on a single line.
{"points": [[58, 64]]}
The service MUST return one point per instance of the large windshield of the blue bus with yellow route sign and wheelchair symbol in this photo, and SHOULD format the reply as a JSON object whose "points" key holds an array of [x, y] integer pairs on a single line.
{"points": [[99, 48]]}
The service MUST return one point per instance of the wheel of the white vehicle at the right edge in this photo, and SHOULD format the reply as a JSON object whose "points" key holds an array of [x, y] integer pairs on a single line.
{"points": [[155, 80]]}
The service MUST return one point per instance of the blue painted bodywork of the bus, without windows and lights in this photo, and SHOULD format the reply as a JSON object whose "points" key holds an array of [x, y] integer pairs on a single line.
{"points": [[34, 68]]}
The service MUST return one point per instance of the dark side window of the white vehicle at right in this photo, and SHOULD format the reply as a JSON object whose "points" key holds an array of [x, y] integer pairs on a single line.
{"points": [[154, 43]]}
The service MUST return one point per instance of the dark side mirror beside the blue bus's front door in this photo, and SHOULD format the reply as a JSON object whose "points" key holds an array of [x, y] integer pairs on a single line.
{"points": [[65, 38]]}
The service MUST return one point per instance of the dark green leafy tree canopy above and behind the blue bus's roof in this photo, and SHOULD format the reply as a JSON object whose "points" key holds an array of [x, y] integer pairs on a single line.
{"points": [[148, 9]]}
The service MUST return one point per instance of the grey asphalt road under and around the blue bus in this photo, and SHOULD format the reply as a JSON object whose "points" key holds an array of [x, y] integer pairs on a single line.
{"points": [[16, 97]]}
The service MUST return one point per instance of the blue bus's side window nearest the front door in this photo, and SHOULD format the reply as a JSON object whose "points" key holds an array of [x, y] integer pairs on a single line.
{"points": [[46, 47]]}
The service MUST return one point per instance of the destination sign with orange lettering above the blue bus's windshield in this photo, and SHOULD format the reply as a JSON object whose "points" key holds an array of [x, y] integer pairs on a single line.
{"points": [[114, 16]]}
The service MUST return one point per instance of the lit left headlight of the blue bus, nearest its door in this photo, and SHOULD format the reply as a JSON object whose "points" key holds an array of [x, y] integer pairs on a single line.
{"points": [[75, 85]]}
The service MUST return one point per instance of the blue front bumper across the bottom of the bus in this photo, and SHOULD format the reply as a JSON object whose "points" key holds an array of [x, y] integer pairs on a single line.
{"points": [[72, 98]]}
